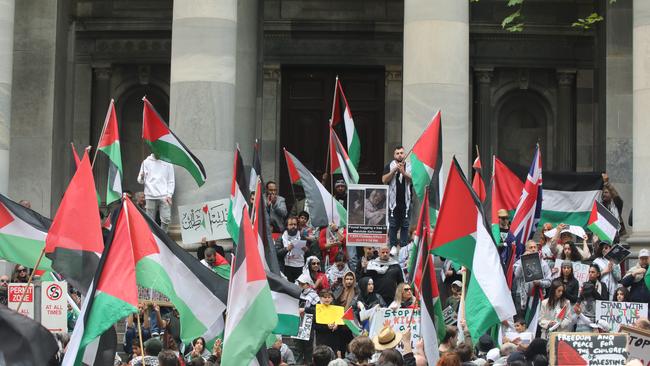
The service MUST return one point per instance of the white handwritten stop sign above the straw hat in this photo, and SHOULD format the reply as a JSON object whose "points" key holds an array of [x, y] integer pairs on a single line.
{"points": [[399, 320]]}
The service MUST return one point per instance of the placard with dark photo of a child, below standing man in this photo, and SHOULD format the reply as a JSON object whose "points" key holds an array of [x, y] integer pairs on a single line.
{"points": [[367, 215]]}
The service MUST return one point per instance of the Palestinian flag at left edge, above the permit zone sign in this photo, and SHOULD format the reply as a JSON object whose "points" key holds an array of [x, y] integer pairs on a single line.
{"points": [[22, 234]]}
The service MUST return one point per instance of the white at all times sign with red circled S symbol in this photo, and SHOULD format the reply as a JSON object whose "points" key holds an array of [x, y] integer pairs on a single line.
{"points": [[54, 306]]}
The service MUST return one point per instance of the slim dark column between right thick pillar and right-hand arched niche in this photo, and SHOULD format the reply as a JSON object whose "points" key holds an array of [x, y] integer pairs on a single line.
{"points": [[483, 117]]}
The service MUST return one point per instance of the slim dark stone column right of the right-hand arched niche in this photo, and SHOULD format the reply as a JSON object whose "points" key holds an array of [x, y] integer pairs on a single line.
{"points": [[566, 128]]}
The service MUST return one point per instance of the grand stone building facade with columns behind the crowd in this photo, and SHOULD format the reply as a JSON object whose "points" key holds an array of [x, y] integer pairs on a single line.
{"points": [[226, 72]]}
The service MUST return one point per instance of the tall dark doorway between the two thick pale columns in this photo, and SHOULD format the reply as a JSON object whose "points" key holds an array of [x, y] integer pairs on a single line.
{"points": [[307, 94]]}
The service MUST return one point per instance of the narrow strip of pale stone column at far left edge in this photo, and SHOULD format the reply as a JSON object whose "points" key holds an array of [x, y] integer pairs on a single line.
{"points": [[6, 68]]}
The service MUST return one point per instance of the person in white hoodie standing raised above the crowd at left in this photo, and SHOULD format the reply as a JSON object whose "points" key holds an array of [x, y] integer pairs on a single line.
{"points": [[158, 179]]}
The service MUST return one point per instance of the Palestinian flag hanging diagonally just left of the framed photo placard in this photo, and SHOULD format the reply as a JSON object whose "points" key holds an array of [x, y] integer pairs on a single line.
{"points": [[323, 208]]}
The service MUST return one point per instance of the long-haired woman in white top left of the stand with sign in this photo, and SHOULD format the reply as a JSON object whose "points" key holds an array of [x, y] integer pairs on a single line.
{"points": [[555, 311]]}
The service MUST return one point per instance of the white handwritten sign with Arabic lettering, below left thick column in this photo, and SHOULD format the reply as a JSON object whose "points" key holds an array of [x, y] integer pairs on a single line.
{"points": [[204, 220]]}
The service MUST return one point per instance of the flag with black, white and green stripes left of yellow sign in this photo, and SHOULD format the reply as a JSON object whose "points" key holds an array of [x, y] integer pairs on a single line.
{"points": [[286, 298]]}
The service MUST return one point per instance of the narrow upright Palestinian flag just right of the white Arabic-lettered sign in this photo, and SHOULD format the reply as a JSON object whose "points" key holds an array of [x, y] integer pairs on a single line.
{"points": [[239, 196]]}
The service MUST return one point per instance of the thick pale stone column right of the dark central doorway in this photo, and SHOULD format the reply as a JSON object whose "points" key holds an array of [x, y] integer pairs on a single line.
{"points": [[436, 73]]}
